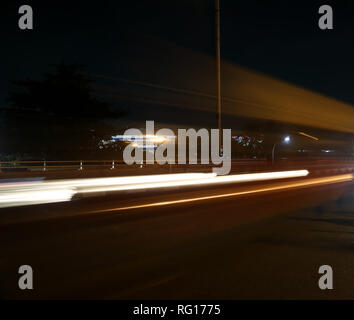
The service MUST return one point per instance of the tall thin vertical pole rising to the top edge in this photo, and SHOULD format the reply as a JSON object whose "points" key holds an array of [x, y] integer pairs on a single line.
{"points": [[218, 80]]}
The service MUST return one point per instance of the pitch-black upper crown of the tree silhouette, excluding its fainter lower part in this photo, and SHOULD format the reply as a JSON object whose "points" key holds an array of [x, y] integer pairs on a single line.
{"points": [[65, 93]]}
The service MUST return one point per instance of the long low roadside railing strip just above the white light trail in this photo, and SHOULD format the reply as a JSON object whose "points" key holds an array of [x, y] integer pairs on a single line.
{"points": [[68, 168]]}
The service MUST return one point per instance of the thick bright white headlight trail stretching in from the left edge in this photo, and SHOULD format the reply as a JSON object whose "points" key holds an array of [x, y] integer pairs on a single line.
{"points": [[26, 193]]}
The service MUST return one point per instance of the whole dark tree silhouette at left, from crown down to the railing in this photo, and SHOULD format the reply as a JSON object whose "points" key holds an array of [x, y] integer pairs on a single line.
{"points": [[57, 117]]}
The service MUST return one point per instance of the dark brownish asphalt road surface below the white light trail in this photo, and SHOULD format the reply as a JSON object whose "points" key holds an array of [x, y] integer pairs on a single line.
{"points": [[262, 245]]}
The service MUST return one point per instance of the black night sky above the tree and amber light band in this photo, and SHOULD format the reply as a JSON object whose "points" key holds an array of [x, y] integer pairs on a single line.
{"points": [[112, 38]]}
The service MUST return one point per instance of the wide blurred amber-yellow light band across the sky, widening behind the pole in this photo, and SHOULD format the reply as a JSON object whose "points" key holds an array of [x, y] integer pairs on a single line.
{"points": [[245, 92]]}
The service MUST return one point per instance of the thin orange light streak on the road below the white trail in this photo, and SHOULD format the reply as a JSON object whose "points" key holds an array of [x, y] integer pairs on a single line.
{"points": [[308, 183]]}
